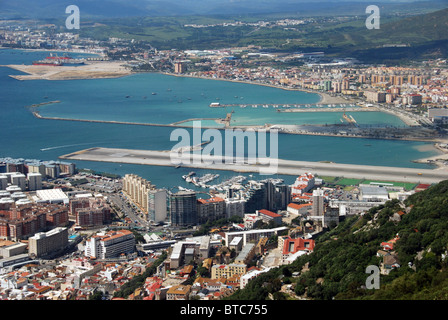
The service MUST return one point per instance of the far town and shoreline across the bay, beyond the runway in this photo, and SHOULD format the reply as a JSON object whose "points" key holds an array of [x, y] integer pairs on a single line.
{"points": [[416, 94]]}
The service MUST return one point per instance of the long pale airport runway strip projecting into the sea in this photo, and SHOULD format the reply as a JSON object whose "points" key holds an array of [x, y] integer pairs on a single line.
{"points": [[260, 165]]}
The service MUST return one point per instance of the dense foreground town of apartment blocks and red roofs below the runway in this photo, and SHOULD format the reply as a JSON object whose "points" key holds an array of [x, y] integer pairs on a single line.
{"points": [[72, 234]]}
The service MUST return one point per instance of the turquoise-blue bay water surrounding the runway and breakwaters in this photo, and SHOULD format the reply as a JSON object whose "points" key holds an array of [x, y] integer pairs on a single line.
{"points": [[131, 99]]}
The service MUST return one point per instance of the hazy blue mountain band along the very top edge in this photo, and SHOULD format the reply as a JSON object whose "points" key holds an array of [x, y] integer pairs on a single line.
{"points": [[126, 8]]}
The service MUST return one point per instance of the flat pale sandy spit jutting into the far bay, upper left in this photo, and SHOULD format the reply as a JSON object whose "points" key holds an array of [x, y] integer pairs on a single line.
{"points": [[90, 70]]}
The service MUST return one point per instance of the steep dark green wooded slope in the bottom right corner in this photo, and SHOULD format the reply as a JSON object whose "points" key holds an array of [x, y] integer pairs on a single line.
{"points": [[337, 267]]}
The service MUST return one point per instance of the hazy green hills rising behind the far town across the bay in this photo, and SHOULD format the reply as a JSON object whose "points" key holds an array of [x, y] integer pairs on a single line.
{"points": [[399, 39]]}
